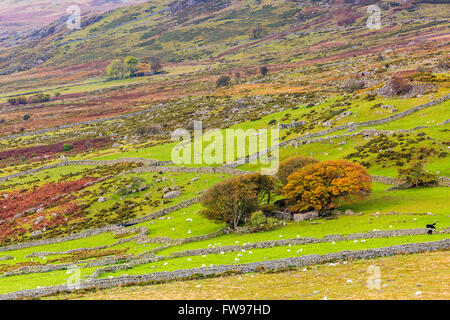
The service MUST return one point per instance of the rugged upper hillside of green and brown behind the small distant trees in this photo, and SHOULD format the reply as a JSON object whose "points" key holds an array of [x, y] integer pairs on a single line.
{"points": [[220, 32]]}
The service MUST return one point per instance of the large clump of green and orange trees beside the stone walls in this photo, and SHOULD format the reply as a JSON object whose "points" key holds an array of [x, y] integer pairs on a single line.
{"points": [[303, 184]]}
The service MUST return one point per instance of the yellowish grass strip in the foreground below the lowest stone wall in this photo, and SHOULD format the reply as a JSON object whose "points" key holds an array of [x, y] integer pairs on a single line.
{"points": [[401, 278]]}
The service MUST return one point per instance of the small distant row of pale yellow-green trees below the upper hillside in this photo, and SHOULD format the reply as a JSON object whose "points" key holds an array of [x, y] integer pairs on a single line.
{"points": [[133, 67]]}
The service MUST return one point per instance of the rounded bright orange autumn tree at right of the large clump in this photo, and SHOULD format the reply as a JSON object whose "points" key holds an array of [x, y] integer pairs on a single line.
{"points": [[325, 185]]}
